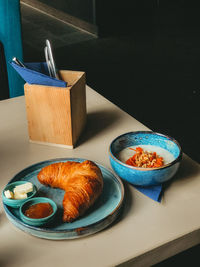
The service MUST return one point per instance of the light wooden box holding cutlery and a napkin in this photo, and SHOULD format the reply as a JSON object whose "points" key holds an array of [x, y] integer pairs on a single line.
{"points": [[57, 115]]}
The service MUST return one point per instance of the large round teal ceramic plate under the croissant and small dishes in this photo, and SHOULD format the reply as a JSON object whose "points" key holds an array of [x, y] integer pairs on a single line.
{"points": [[100, 215]]}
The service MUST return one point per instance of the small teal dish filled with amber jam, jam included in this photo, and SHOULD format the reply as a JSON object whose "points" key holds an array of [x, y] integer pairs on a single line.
{"points": [[38, 211]]}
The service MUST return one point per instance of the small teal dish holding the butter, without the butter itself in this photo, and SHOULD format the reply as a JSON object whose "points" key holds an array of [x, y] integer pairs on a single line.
{"points": [[16, 203]]}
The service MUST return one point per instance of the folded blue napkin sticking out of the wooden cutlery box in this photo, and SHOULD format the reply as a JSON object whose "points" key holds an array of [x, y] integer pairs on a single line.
{"points": [[37, 73]]}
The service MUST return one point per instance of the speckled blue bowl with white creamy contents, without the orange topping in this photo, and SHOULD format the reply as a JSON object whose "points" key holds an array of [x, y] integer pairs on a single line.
{"points": [[165, 146]]}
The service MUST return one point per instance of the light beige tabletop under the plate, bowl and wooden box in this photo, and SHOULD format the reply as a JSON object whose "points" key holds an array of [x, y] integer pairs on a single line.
{"points": [[147, 231]]}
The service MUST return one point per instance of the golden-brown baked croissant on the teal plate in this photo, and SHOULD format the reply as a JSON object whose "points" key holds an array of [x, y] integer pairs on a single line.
{"points": [[82, 182]]}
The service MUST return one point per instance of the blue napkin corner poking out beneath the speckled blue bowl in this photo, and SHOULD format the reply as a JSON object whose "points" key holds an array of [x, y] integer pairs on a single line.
{"points": [[154, 192]]}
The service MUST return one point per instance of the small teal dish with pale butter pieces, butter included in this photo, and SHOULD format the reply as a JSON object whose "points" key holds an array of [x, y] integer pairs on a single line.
{"points": [[16, 193]]}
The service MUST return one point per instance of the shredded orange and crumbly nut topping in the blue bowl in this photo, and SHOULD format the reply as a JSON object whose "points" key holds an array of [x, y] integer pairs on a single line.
{"points": [[145, 159]]}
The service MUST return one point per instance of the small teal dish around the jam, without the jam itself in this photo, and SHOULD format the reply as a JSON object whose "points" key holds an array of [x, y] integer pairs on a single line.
{"points": [[41, 221]]}
